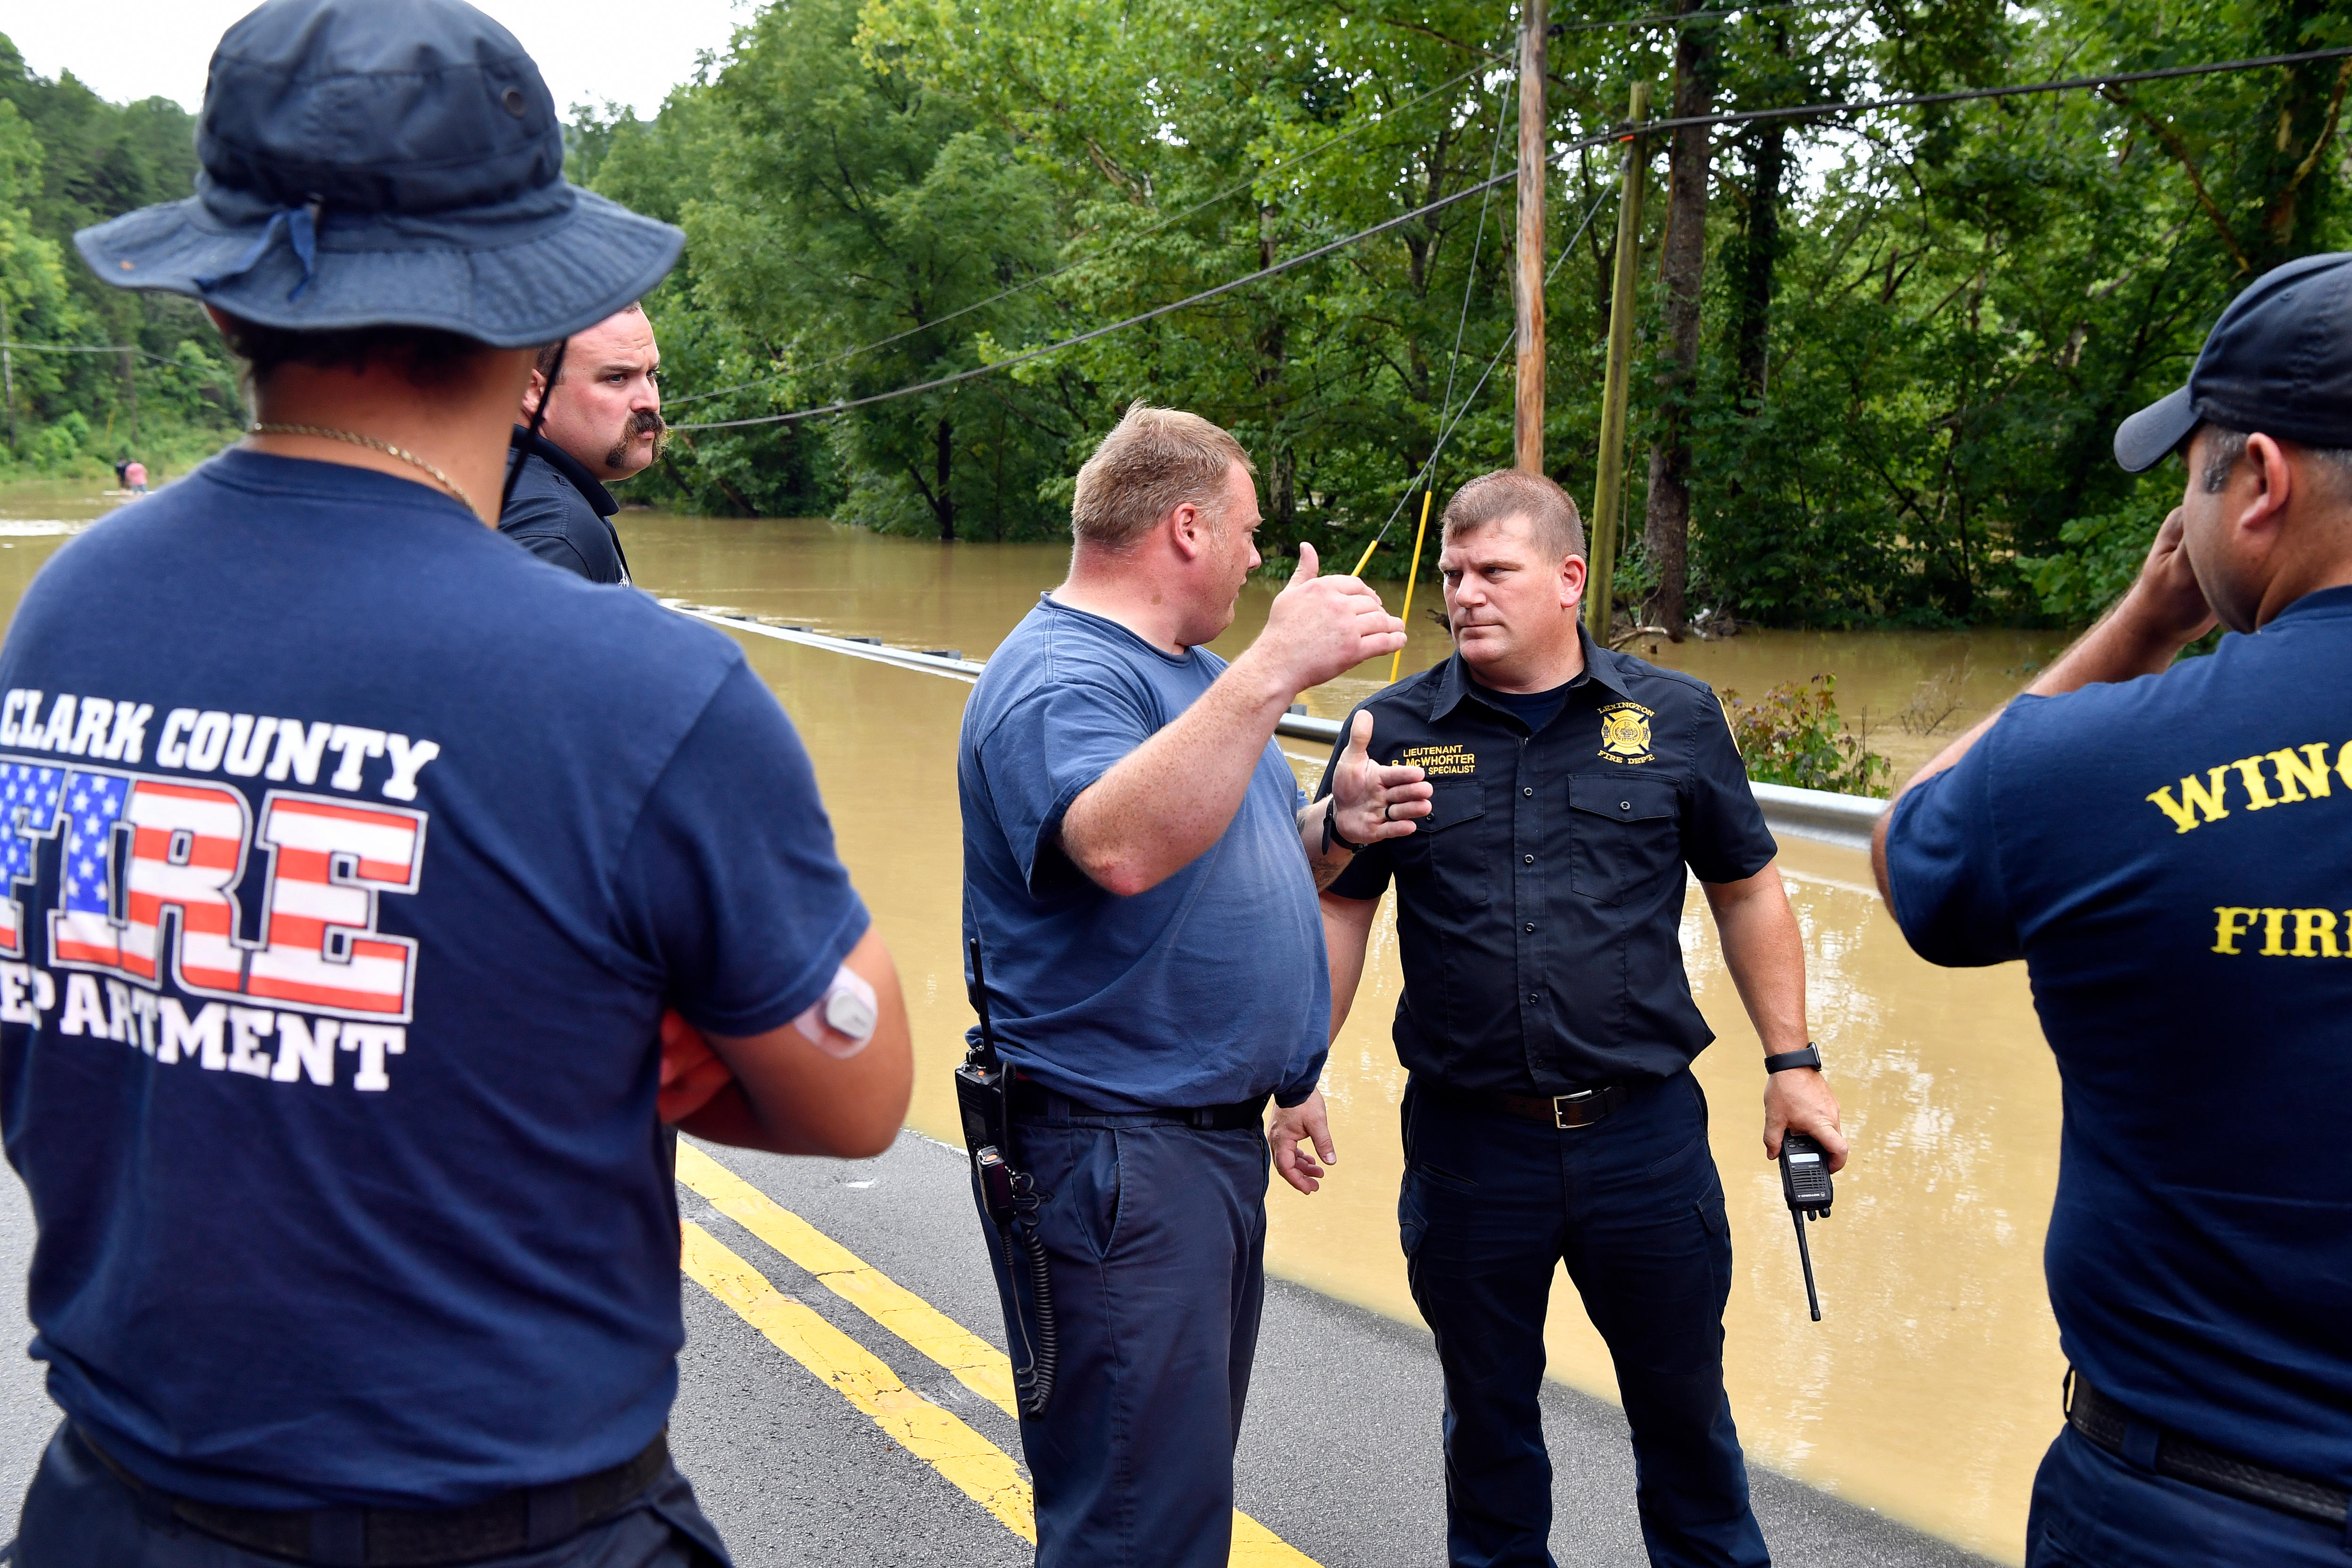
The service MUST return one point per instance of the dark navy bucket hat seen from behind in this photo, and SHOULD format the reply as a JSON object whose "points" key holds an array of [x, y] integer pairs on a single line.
{"points": [[385, 163]]}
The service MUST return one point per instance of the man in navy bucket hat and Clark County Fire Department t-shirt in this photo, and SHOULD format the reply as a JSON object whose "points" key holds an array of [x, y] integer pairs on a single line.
{"points": [[340, 918]]}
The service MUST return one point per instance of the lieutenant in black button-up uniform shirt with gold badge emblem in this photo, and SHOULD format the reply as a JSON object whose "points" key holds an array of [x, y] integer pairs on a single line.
{"points": [[1549, 1028]]}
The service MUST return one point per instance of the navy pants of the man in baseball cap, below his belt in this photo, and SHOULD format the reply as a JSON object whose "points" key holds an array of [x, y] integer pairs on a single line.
{"points": [[2097, 1510]]}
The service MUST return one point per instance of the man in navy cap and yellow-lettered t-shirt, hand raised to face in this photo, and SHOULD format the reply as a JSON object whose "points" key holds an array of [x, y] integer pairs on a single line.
{"points": [[2165, 845]]}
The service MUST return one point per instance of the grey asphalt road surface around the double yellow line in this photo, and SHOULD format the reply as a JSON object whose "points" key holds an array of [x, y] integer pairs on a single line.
{"points": [[1339, 1454]]}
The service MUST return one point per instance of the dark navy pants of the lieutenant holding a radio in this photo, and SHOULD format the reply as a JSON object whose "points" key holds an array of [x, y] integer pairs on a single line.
{"points": [[1633, 1207]]}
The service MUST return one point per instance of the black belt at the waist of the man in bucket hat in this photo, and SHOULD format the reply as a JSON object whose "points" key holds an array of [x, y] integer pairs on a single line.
{"points": [[417, 1539]]}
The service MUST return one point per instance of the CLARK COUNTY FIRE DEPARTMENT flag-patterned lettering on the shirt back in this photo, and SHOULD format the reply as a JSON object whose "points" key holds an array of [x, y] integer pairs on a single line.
{"points": [[140, 878]]}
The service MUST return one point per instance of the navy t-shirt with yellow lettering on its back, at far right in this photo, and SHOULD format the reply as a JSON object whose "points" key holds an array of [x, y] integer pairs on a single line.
{"points": [[2170, 857]]}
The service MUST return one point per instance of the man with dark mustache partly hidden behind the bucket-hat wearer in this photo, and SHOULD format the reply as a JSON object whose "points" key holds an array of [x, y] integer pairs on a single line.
{"points": [[601, 424]]}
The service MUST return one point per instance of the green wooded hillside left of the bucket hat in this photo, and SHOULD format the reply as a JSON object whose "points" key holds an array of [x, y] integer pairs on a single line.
{"points": [[67, 161]]}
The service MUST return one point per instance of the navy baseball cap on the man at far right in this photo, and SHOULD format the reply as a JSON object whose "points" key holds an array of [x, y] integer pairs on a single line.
{"points": [[2278, 361]]}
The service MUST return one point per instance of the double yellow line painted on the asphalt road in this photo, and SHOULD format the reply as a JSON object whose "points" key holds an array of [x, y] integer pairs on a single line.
{"points": [[933, 1435]]}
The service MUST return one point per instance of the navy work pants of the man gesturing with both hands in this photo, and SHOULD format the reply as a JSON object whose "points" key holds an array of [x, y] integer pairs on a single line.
{"points": [[1156, 1235]]}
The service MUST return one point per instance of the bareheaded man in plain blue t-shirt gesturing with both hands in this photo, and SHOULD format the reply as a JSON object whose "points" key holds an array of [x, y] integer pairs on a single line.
{"points": [[1137, 871]]}
